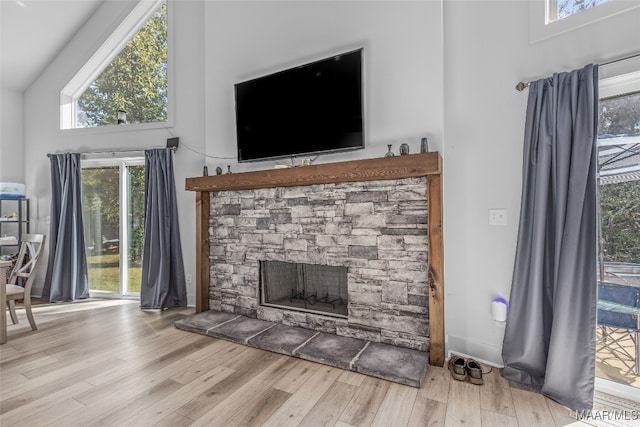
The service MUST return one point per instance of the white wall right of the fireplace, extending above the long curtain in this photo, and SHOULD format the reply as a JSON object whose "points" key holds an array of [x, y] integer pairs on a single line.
{"points": [[487, 51]]}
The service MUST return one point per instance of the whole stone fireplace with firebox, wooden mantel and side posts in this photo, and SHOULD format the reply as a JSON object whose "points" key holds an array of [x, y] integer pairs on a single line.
{"points": [[355, 247]]}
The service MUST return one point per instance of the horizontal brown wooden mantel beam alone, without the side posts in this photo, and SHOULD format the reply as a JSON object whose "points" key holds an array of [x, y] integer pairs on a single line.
{"points": [[382, 168]]}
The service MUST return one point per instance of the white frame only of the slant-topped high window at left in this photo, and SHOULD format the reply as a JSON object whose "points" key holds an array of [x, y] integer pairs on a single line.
{"points": [[103, 56]]}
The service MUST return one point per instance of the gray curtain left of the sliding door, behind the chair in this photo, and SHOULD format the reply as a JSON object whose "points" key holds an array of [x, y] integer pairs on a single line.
{"points": [[66, 278]]}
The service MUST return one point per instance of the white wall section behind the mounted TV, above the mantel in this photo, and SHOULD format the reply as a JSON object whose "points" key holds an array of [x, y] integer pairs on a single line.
{"points": [[403, 63]]}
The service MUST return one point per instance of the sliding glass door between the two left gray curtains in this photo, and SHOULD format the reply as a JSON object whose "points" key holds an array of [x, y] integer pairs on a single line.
{"points": [[113, 214]]}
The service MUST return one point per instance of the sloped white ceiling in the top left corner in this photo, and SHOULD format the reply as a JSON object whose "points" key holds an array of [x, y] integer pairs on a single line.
{"points": [[32, 32]]}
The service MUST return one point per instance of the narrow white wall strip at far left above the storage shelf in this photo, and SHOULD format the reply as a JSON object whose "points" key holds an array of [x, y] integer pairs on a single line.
{"points": [[11, 136]]}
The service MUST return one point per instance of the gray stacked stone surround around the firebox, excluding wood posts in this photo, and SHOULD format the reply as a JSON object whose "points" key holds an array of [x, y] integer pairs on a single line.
{"points": [[378, 229]]}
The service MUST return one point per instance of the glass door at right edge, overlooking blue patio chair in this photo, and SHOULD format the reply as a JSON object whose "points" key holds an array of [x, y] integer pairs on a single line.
{"points": [[618, 328]]}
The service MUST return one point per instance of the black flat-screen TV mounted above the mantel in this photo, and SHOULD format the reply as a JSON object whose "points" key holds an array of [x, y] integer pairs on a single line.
{"points": [[311, 109]]}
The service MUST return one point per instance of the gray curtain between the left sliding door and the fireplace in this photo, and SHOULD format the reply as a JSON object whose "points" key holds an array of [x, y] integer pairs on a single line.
{"points": [[163, 280]]}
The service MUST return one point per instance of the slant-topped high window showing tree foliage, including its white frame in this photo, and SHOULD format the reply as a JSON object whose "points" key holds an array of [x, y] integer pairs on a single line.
{"points": [[125, 82]]}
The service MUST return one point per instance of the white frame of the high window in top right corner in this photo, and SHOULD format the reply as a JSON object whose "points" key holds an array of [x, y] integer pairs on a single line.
{"points": [[540, 28]]}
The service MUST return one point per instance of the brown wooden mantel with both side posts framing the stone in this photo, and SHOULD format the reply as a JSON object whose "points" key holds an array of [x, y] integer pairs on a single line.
{"points": [[383, 168]]}
